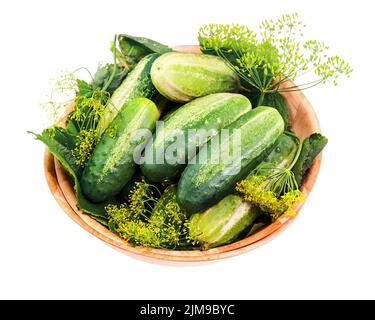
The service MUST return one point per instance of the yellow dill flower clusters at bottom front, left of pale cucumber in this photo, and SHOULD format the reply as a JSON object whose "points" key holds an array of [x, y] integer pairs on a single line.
{"points": [[150, 219]]}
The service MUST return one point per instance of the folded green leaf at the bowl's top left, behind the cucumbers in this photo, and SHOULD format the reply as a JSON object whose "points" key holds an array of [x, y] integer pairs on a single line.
{"points": [[135, 48]]}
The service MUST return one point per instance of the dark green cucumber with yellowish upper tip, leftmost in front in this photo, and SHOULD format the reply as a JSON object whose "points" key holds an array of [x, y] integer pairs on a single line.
{"points": [[111, 165]]}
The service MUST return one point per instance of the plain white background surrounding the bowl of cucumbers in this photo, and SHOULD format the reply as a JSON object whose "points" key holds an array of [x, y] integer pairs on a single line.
{"points": [[327, 253]]}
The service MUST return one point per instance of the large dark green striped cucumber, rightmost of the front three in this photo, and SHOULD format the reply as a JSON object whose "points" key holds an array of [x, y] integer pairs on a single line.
{"points": [[207, 178]]}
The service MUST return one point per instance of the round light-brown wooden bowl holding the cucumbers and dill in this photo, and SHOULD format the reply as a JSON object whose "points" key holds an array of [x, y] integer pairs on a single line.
{"points": [[303, 121]]}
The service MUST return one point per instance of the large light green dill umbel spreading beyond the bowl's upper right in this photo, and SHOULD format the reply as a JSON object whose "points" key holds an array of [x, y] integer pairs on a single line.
{"points": [[267, 60]]}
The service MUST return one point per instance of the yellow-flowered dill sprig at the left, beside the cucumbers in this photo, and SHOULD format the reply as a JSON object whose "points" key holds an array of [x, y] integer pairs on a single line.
{"points": [[89, 103]]}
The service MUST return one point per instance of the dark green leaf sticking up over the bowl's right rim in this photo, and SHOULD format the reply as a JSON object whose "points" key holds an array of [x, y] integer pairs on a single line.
{"points": [[311, 148]]}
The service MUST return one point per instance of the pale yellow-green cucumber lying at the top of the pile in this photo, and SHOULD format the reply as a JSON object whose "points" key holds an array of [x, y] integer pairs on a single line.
{"points": [[182, 77]]}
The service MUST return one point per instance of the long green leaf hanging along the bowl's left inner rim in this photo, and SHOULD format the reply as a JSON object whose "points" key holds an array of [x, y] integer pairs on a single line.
{"points": [[58, 140]]}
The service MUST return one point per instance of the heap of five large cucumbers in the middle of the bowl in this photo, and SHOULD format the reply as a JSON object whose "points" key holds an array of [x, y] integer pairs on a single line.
{"points": [[206, 87]]}
